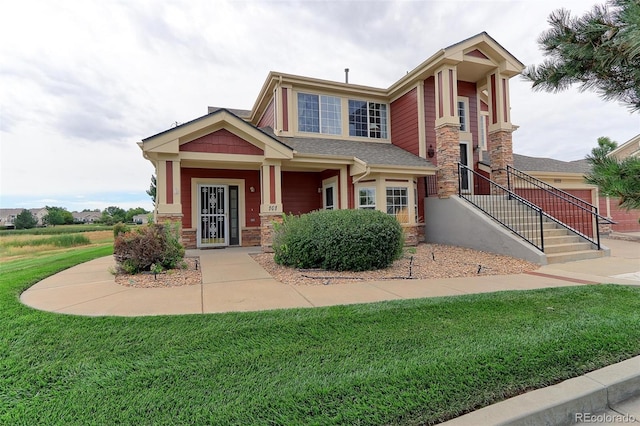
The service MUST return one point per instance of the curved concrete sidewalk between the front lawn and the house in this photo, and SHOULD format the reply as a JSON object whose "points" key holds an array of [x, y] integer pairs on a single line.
{"points": [[233, 281]]}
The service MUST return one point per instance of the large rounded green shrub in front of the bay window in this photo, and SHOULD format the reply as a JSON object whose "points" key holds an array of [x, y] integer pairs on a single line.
{"points": [[339, 240]]}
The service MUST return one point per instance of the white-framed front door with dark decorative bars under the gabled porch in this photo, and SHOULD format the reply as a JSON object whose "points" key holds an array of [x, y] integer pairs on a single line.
{"points": [[213, 206]]}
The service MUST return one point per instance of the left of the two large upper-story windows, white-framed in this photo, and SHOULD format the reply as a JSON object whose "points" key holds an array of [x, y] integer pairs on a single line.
{"points": [[319, 114]]}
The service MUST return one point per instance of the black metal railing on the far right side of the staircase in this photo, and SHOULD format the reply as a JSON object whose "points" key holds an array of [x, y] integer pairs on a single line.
{"points": [[574, 213]]}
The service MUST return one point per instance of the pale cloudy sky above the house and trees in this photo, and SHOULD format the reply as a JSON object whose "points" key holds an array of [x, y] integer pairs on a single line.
{"points": [[81, 82]]}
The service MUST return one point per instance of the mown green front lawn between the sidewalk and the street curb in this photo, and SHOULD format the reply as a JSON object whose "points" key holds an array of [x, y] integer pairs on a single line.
{"points": [[405, 362]]}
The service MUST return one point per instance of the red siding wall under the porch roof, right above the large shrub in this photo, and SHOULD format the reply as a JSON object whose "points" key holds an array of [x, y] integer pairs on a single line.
{"points": [[300, 192]]}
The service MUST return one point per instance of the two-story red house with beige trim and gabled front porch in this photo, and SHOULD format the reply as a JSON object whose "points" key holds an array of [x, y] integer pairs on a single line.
{"points": [[309, 144]]}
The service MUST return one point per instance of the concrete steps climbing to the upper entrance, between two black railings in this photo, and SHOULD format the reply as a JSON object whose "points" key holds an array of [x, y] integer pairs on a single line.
{"points": [[560, 244]]}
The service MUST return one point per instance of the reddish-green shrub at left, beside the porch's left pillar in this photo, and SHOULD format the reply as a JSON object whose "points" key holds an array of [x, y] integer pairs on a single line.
{"points": [[155, 244]]}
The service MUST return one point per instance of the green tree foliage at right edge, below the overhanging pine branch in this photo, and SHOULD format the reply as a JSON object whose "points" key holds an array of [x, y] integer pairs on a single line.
{"points": [[615, 178]]}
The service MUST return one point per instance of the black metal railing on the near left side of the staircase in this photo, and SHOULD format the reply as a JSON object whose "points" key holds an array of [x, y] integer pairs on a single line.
{"points": [[512, 211]]}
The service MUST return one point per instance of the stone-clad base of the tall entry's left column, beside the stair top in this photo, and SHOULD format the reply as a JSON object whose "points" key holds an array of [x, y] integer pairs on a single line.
{"points": [[448, 156]]}
